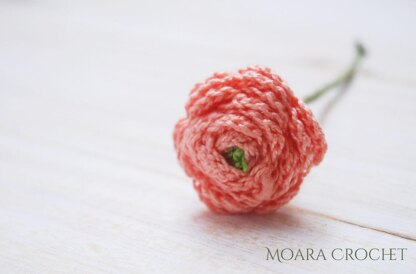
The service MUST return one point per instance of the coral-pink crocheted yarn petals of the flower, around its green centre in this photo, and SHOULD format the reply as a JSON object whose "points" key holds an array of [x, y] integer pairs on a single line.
{"points": [[253, 110]]}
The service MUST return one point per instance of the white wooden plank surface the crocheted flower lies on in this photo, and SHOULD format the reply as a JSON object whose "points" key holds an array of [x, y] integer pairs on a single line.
{"points": [[90, 92]]}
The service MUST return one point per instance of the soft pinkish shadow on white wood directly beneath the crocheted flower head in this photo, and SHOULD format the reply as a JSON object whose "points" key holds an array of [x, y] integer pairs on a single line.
{"points": [[289, 227]]}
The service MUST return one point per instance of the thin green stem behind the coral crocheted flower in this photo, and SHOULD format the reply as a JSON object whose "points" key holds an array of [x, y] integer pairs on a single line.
{"points": [[344, 78]]}
